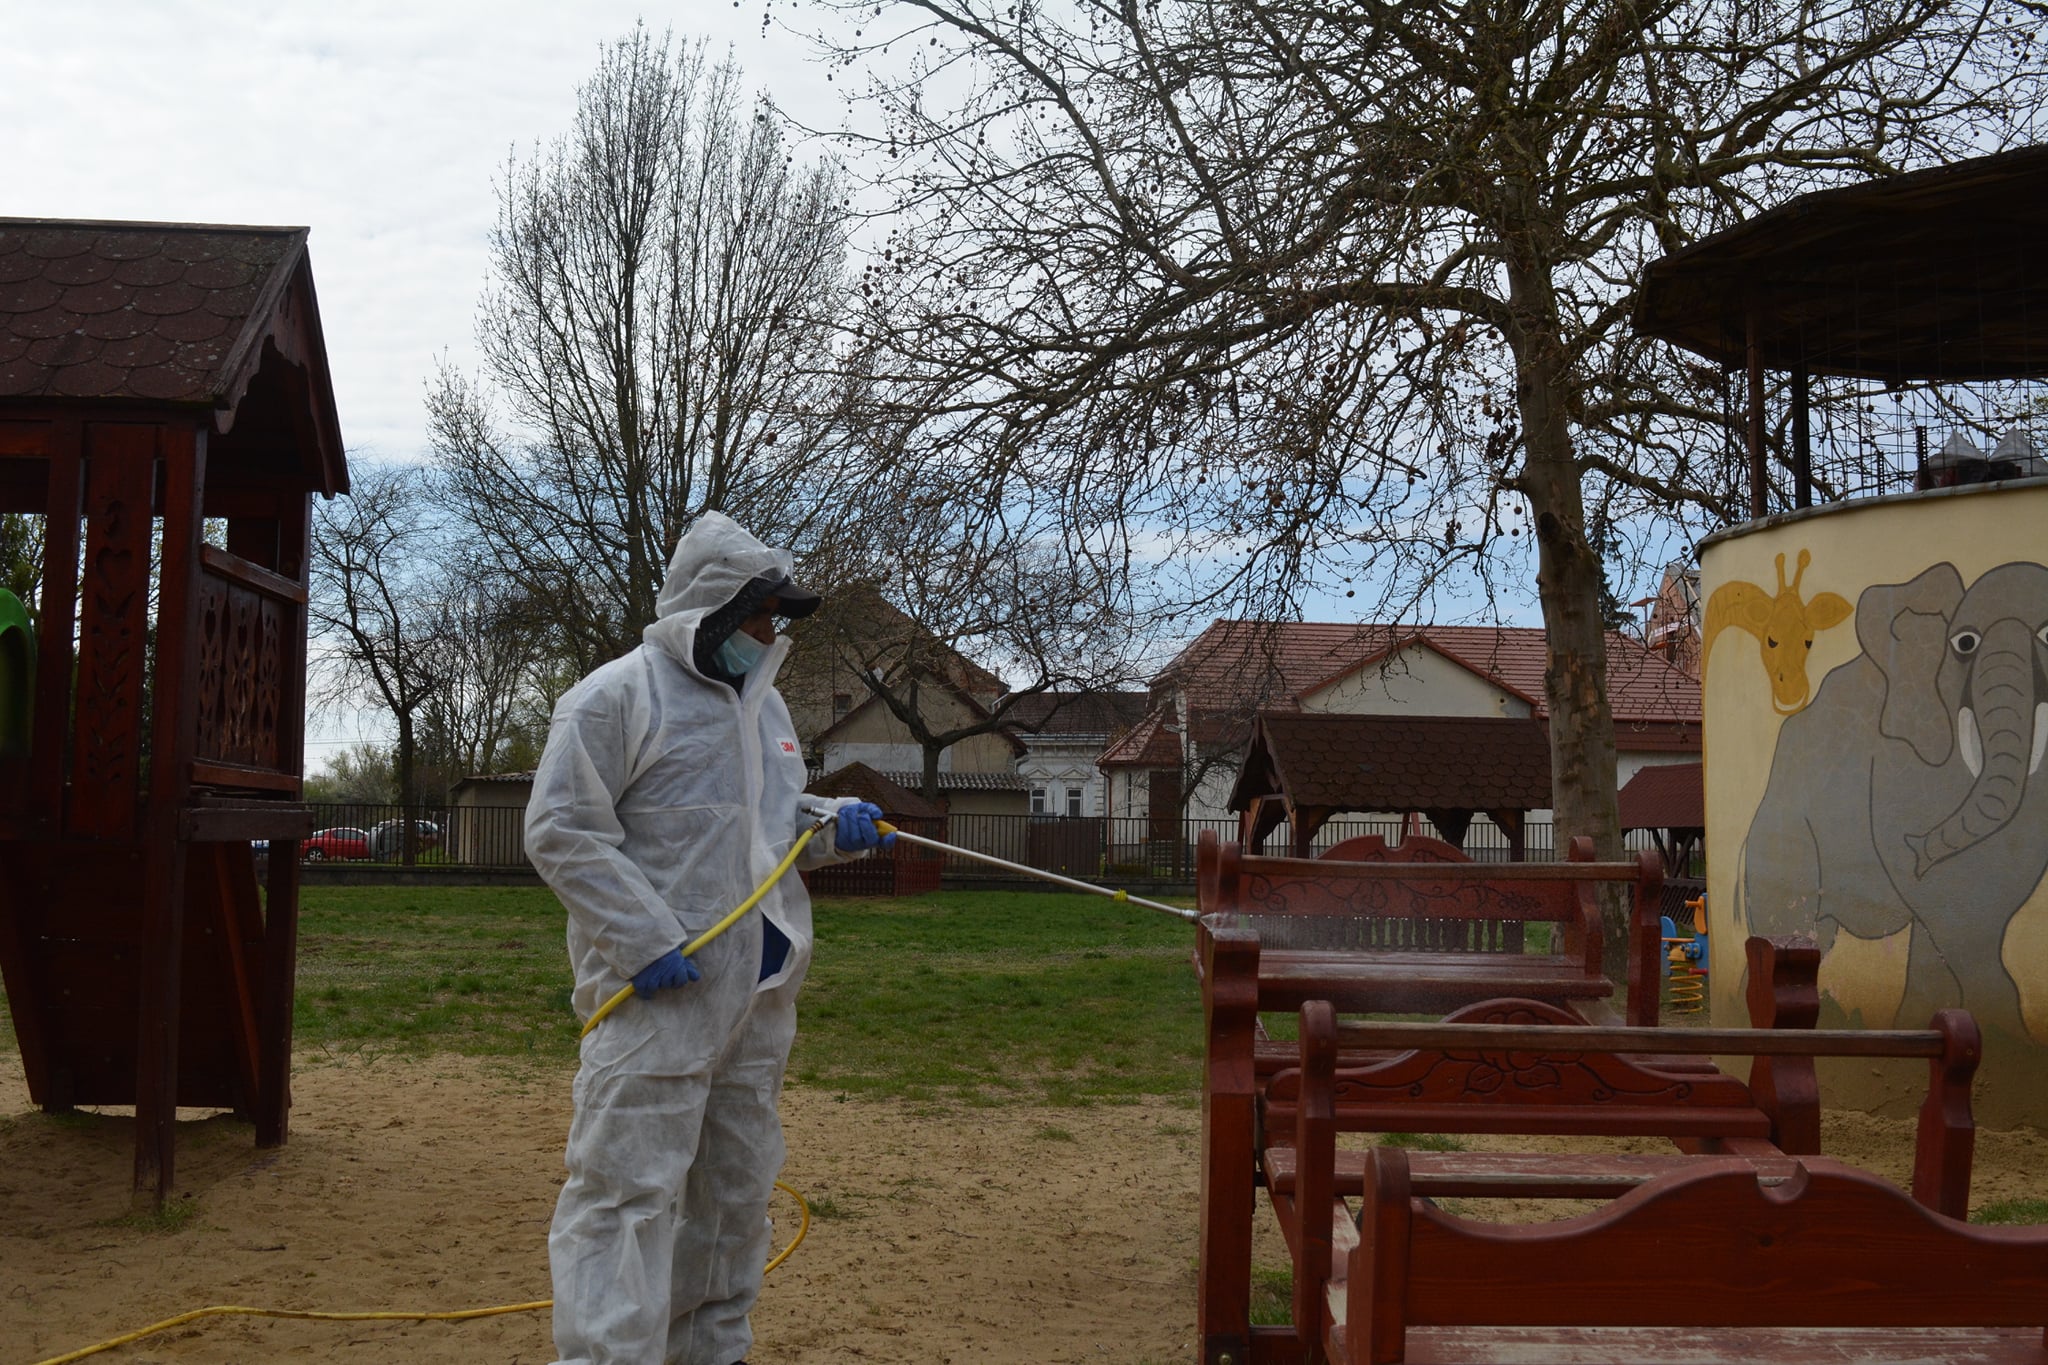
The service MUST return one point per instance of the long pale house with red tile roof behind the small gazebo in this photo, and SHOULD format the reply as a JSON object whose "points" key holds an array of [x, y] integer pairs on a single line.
{"points": [[1183, 758]]}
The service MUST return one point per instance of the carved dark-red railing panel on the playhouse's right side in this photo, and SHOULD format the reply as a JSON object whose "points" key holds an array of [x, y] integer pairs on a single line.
{"points": [[247, 633]]}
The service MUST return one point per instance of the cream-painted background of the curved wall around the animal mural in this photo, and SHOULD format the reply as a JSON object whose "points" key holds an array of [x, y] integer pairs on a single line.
{"points": [[1854, 547]]}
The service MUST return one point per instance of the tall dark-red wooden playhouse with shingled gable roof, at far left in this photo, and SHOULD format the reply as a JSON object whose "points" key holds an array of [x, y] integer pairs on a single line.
{"points": [[167, 410]]}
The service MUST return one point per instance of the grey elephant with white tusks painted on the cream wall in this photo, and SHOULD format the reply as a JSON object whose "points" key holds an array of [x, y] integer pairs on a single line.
{"points": [[1910, 791]]}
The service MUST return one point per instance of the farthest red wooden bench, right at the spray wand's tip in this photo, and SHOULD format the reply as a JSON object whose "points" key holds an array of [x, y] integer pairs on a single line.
{"points": [[1428, 938]]}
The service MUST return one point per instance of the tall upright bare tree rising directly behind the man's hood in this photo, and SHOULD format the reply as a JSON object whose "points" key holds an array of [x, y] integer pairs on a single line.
{"points": [[658, 341]]}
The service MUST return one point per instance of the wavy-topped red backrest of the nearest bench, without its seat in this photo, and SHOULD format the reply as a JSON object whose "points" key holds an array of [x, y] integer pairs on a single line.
{"points": [[1807, 1243]]}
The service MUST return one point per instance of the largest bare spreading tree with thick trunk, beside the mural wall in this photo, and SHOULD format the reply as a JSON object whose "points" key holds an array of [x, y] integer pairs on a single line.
{"points": [[1283, 296]]}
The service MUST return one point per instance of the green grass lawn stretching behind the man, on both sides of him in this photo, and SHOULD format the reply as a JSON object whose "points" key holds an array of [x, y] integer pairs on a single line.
{"points": [[957, 996]]}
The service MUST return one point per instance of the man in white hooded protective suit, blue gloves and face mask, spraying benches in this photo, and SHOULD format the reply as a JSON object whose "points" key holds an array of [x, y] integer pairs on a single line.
{"points": [[667, 795]]}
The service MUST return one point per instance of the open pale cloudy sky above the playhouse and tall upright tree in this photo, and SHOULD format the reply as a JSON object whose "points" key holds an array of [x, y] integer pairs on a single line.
{"points": [[378, 124]]}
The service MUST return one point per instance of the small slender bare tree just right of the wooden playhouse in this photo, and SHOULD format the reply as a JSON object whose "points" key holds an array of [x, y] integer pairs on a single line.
{"points": [[378, 609]]}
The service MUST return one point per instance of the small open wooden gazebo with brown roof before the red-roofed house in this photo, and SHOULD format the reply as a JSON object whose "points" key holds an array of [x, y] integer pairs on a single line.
{"points": [[1306, 768]]}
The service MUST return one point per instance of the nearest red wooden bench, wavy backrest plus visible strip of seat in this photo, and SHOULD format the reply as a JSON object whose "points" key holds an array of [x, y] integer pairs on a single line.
{"points": [[1783, 1260]]}
